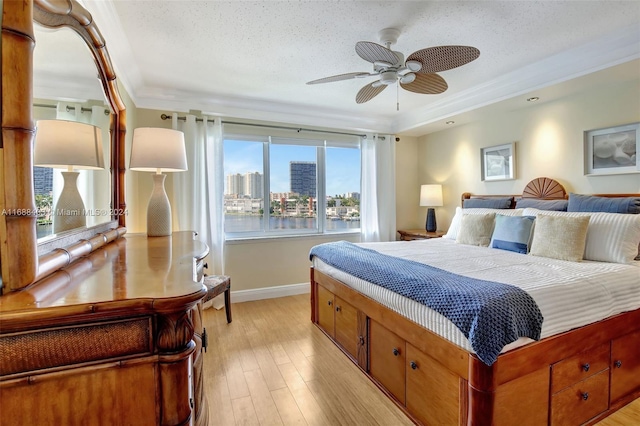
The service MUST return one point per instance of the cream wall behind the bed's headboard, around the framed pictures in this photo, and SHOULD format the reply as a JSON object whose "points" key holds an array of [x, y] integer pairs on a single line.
{"points": [[549, 142]]}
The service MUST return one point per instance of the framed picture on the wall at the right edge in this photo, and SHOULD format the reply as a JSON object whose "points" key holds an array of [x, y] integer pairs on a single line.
{"points": [[613, 150]]}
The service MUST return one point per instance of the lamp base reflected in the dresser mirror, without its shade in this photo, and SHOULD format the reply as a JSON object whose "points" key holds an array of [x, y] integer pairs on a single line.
{"points": [[69, 210]]}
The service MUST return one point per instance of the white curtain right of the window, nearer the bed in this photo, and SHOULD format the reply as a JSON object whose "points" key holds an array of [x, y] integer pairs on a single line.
{"points": [[378, 199]]}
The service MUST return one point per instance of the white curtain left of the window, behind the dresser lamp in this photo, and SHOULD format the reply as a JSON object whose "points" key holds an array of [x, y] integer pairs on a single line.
{"points": [[197, 203]]}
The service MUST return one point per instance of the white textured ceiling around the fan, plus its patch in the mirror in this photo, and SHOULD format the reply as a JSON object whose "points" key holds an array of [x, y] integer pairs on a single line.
{"points": [[252, 59]]}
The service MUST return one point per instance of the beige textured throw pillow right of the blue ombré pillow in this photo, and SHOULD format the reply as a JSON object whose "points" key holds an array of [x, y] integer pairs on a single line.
{"points": [[560, 237]]}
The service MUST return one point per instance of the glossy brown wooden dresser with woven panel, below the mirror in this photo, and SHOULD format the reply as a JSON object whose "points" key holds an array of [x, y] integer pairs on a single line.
{"points": [[114, 338]]}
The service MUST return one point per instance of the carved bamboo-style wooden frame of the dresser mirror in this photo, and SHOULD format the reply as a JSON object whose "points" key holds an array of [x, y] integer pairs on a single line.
{"points": [[19, 255]]}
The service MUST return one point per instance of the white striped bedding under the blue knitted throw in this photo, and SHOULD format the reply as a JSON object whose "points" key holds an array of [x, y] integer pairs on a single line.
{"points": [[569, 294]]}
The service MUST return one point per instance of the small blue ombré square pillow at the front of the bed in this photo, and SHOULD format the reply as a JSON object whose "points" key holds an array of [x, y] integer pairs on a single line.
{"points": [[512, 233]]}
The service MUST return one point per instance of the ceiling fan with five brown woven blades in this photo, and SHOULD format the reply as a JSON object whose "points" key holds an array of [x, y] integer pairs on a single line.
{"points": [[417, 74]]}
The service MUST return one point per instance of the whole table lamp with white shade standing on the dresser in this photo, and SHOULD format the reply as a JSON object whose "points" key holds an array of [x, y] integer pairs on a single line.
{"points": [[158, 150]]}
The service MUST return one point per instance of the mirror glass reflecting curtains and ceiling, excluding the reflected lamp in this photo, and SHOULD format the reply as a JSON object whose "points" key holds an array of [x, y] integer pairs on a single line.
{"points": [[66, 88]]}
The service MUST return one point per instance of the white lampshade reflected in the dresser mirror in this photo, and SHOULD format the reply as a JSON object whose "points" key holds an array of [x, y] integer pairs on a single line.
{"points": [[60, 144]]}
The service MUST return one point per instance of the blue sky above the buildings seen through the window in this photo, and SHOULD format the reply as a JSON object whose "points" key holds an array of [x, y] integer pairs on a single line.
{"points": [[343, 165]]}
